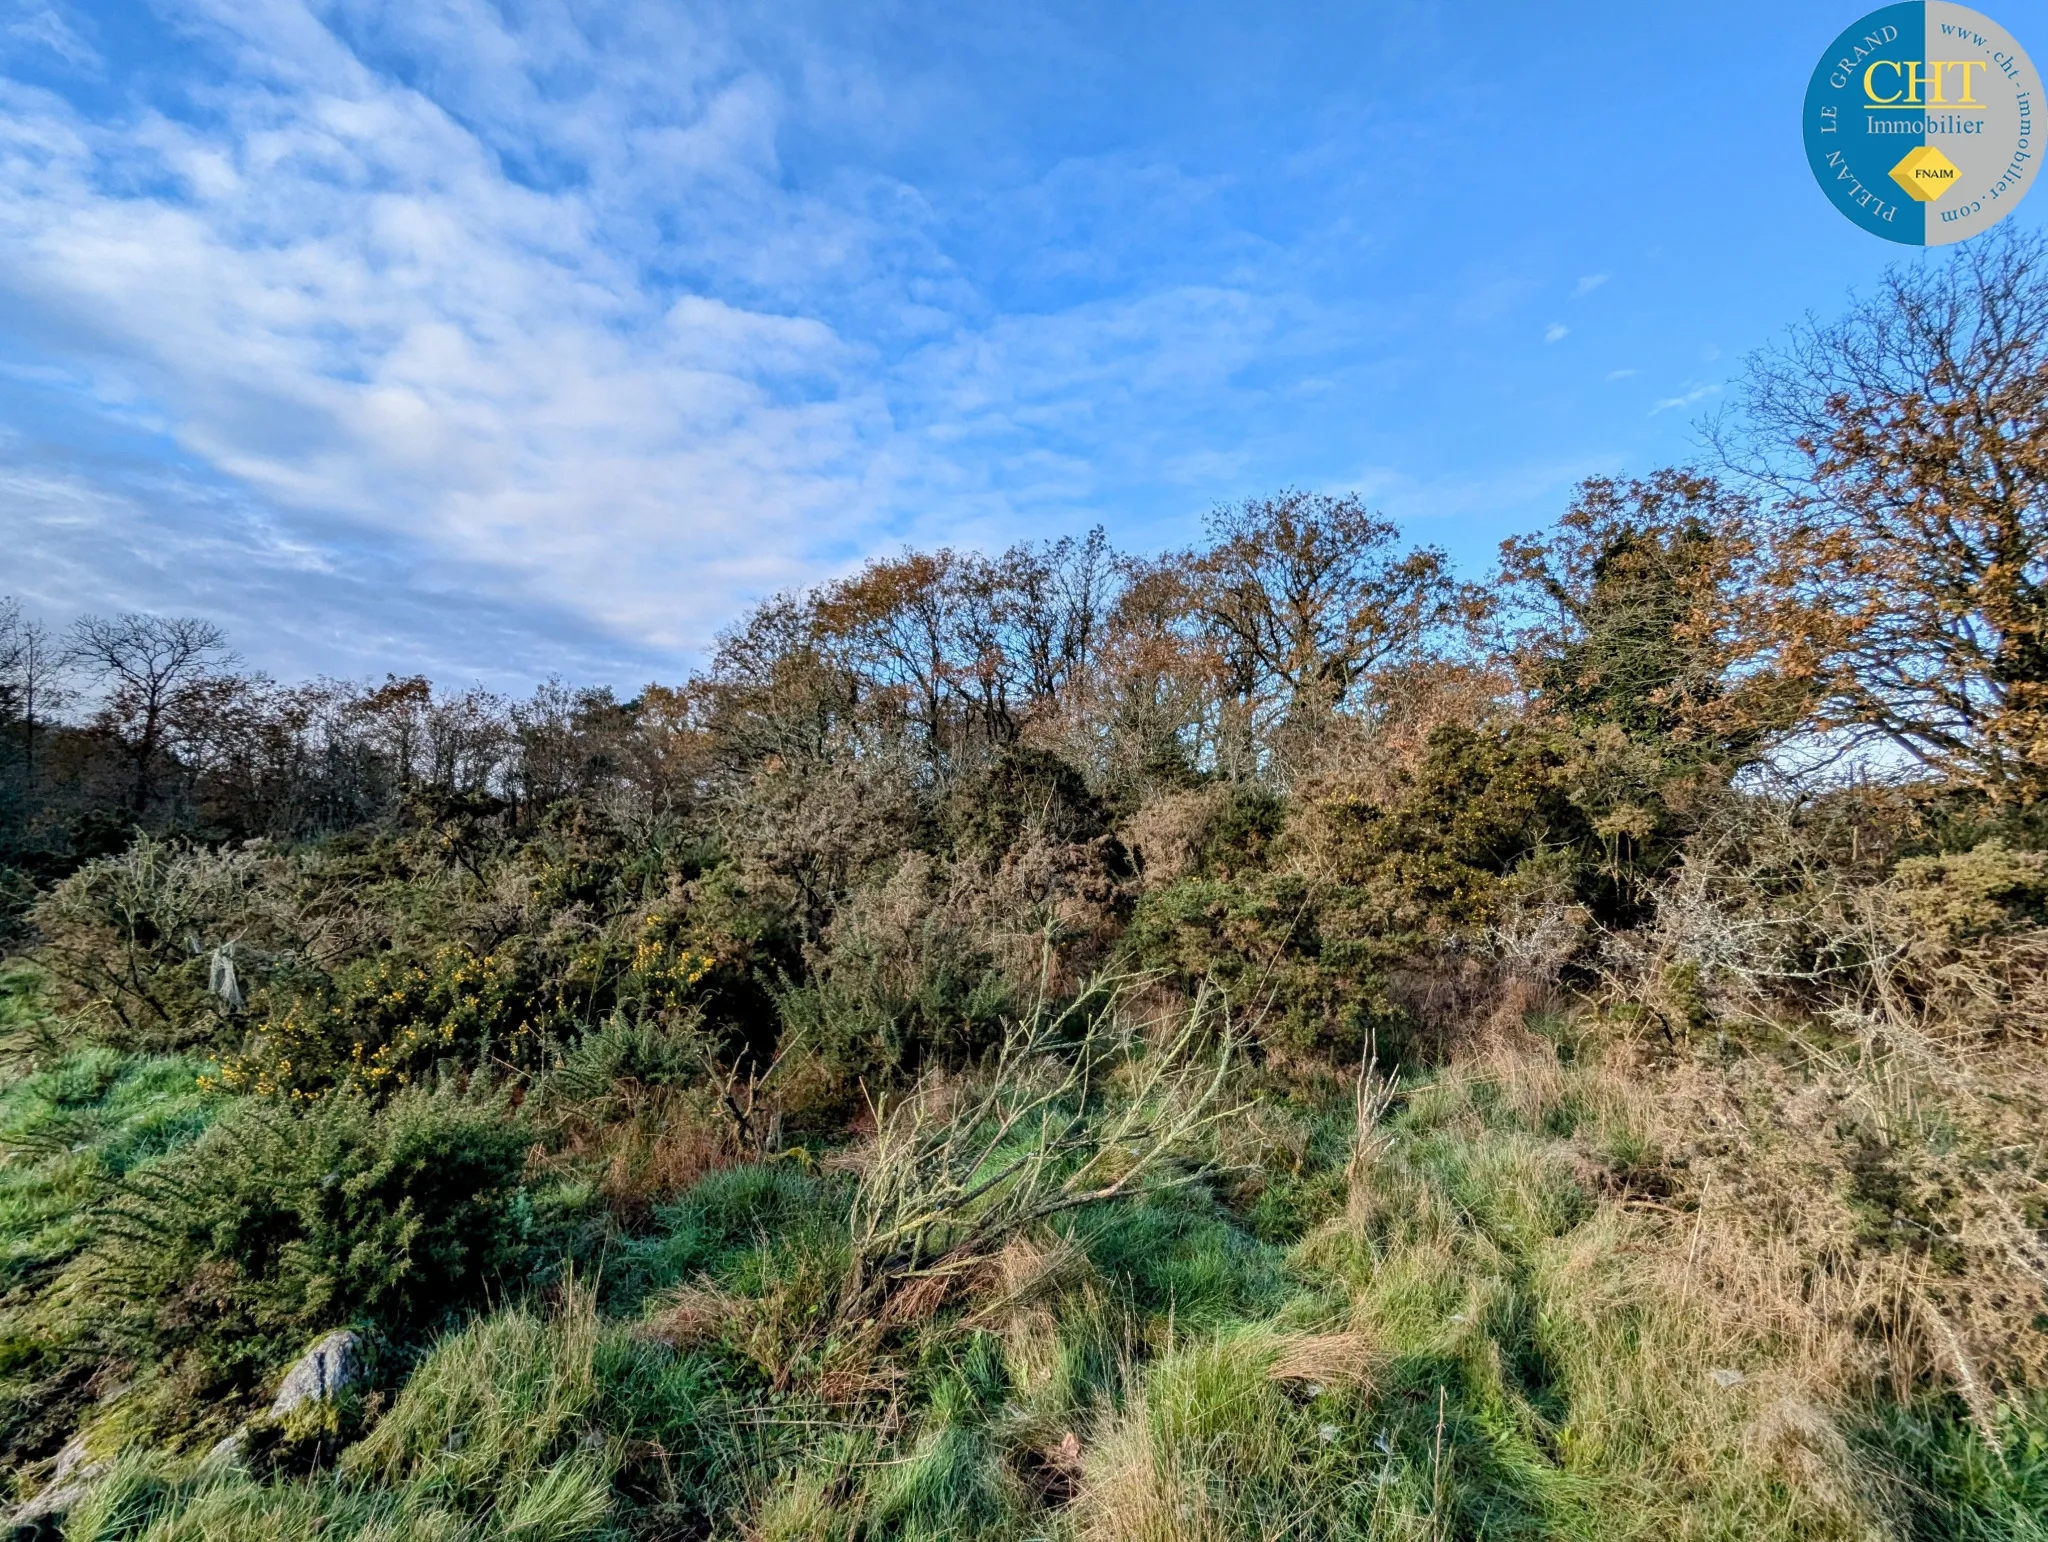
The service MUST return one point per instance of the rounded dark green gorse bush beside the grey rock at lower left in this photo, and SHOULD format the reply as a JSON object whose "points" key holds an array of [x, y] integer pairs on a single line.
{"points": [[280, 1224]]}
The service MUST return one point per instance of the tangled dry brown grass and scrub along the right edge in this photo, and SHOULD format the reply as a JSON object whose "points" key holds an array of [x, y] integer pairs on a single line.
{"points": [[1844, 1072]]}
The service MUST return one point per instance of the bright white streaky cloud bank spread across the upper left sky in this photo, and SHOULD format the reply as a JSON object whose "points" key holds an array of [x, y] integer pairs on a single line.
{"points": [[583, 343]]}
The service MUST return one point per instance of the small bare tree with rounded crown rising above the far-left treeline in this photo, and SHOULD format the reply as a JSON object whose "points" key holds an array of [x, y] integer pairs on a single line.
{"points": [[148, 667]]}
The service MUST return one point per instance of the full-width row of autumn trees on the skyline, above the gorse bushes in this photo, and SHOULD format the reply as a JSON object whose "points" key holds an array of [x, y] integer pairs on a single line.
{"points": [[1861, 564]]}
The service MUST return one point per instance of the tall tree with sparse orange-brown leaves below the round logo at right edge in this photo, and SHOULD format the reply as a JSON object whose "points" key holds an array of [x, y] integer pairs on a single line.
{"points": [[1906, 449]]}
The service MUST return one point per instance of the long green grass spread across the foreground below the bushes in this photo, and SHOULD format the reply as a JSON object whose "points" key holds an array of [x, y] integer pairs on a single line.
{"points": [[1465, 1346]]}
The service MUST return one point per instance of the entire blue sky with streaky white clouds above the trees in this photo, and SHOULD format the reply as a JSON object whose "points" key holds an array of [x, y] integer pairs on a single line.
{"points": [[505, 341]]}
